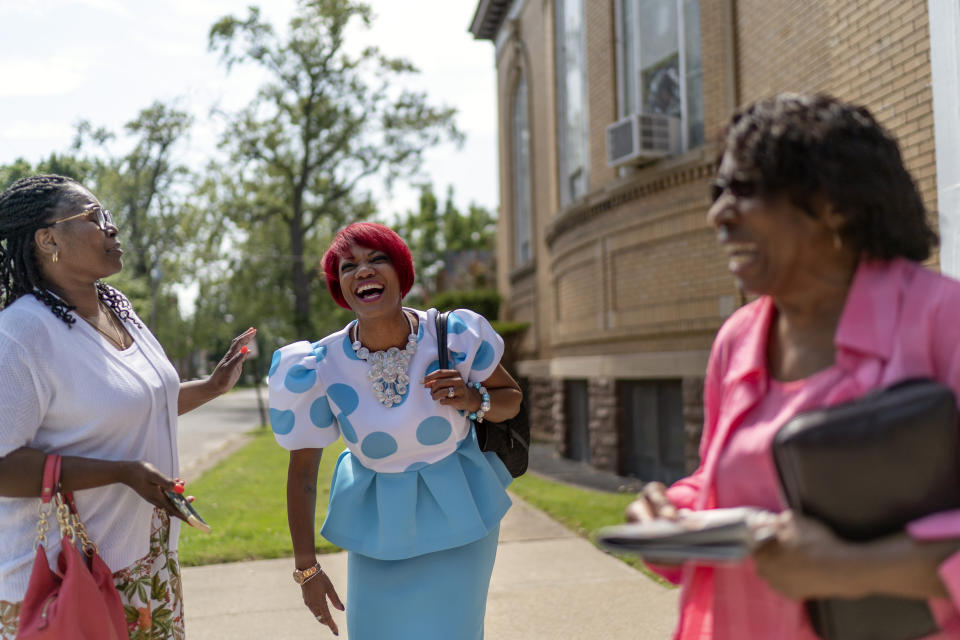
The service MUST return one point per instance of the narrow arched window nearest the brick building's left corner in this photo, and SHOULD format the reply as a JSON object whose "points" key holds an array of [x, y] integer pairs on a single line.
{"points": [[522, 200]]}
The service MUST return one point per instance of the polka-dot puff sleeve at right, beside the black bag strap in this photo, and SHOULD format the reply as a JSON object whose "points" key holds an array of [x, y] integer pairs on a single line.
{"points": [[475, 348]]}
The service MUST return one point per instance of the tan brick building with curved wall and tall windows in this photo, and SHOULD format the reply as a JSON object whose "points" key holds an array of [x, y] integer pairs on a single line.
{"points": [[603, 243]]}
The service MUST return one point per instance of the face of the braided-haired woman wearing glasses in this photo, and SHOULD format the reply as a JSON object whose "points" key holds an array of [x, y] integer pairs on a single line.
{"points": [[85, 252]]}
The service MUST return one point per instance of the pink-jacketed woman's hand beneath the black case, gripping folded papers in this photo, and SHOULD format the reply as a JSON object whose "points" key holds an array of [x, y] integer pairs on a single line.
{"points": [[807, 560]]}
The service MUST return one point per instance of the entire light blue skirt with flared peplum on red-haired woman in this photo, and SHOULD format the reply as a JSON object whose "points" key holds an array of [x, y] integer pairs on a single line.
{"points": [[422, 544]]}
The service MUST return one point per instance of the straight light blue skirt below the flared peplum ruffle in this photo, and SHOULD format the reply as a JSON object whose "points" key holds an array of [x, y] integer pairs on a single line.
{"points": [[435, 596]]}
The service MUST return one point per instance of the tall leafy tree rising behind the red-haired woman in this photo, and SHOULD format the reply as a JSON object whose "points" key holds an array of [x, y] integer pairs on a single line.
{"points": [[325, 123]]}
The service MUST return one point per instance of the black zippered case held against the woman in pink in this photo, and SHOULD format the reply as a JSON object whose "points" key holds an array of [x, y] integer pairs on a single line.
{"points": [[865, 469]]}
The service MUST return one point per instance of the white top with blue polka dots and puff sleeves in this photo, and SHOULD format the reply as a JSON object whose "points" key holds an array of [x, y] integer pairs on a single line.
{"points": [[320, 391]]}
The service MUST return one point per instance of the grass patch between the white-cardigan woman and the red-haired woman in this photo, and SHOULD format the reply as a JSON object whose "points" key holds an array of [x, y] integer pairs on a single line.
{"points": [[243, 498]]}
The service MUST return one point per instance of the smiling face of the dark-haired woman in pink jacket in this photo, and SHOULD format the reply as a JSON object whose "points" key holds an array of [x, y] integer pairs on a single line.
{"points": [[772, 245]]}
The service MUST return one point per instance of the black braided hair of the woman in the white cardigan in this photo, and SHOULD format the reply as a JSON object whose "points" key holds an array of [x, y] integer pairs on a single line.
{"points": [[25, 207]]}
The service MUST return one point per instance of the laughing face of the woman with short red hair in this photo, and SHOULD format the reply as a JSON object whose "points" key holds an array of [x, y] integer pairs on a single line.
{"points": [[369, 282]]}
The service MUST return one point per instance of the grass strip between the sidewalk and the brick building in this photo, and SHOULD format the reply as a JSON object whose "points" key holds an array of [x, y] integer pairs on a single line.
{"points": [[583, 511]]}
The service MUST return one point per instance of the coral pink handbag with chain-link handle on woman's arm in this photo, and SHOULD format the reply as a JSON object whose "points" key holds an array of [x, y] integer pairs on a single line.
{"points": [[79, 601]]}
